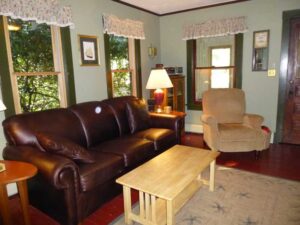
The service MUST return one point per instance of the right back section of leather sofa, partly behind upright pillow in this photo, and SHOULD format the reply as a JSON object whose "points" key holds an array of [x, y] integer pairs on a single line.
{"points": [[118, 106]]}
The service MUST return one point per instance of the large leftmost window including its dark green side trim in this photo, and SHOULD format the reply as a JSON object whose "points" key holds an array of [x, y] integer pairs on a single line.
{"points": [[32, 66]]}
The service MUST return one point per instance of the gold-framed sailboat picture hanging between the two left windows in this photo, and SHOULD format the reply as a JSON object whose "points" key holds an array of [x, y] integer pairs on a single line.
{"points": [[89, 54]]}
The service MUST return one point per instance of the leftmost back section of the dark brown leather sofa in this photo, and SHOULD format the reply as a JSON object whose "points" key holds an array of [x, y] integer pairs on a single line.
{"points": [[21, 129]]}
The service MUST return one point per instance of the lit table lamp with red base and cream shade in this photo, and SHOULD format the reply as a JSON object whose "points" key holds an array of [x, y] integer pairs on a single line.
{"points": [[158, 79]]}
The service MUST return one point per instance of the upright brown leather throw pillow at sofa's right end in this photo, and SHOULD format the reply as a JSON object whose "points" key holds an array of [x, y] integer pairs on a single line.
{"points": [[138, 116]]}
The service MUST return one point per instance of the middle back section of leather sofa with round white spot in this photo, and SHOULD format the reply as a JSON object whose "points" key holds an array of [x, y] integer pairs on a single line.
{"points": [[98, 121]]}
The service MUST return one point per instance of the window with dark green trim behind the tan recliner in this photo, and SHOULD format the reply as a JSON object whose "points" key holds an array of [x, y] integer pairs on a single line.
{"points": [[212, 62]]}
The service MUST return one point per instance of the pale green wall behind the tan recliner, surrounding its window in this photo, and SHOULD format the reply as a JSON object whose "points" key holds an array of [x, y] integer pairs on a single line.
{"points": [[261, 90]]}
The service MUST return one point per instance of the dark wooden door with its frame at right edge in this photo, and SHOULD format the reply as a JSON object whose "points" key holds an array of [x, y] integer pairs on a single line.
{"points": [[288, 120]]}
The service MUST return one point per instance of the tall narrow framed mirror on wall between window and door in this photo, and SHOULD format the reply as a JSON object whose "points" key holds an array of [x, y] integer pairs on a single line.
{"points": [[260, 50]]}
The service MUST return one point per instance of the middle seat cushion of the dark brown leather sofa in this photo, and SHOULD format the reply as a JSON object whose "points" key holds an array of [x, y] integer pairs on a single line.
{"points": [[133, 150]]}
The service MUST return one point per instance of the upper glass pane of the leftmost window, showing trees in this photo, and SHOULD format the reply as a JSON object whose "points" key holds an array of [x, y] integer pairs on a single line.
{"points": [[31, 46]]}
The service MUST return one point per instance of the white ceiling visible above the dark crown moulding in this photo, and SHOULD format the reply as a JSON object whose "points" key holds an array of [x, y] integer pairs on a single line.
{"points": [[161, 7]]}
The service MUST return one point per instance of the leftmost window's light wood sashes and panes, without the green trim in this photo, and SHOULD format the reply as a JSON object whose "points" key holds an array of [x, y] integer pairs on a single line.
{"points": [[36, 67]]}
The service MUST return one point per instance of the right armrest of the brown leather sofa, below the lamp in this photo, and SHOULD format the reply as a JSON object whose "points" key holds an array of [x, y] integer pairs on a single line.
{"points": [[170, 121]]}
